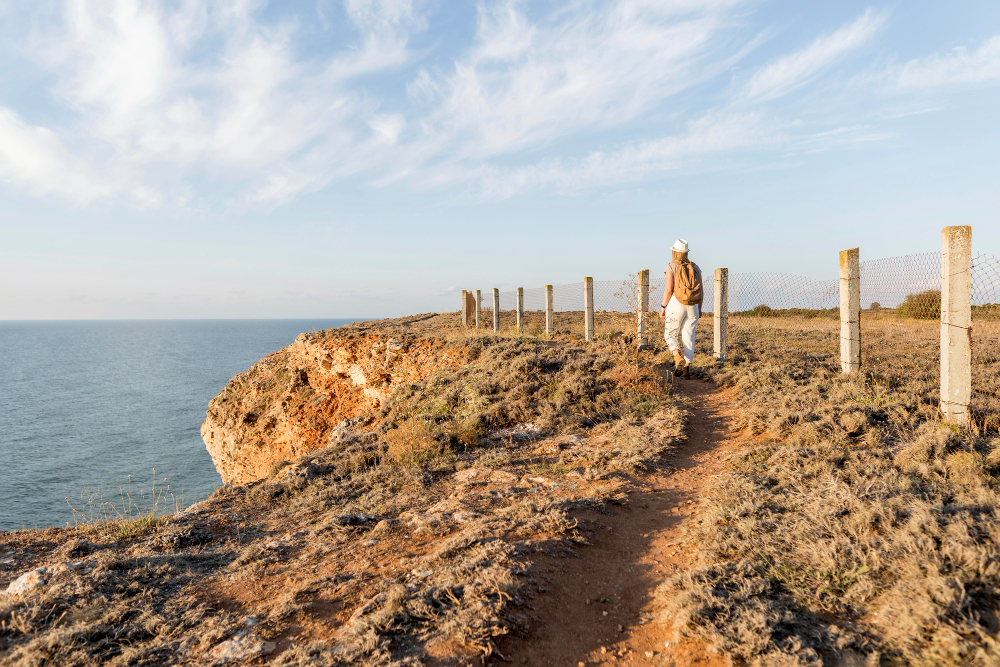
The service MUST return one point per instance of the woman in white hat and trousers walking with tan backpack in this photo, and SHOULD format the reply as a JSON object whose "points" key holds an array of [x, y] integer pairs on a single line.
{"points": [[683, 295]]}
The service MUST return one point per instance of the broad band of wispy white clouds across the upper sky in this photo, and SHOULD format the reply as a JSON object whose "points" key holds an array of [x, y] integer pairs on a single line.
{"points": [[220, 103]]}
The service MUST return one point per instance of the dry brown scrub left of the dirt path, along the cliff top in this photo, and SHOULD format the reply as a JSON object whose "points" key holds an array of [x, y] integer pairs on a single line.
{"points": [[405, 539]]}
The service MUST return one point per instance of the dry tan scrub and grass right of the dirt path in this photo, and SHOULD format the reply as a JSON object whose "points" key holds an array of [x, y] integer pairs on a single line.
{"points": [[856, 529]]}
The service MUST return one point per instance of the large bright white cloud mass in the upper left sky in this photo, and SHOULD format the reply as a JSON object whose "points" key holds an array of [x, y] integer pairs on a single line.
{"points": [[173, 95]]}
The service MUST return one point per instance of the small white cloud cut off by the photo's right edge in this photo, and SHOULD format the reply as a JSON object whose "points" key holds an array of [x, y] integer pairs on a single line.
{"points": [[960, 66]]}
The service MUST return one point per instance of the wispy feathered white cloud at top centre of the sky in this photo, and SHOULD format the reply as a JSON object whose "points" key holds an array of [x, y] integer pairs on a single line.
{"points": [[525, 83]]}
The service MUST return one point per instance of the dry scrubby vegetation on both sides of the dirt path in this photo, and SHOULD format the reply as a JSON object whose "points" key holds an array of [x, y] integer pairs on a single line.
{"points": [[855, 529]]}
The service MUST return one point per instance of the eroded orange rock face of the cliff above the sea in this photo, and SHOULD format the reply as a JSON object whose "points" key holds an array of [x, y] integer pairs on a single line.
{"points": [[291, 402]]}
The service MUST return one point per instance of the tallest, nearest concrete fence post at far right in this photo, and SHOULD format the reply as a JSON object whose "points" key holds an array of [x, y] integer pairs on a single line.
{"points": [[956, 324]]}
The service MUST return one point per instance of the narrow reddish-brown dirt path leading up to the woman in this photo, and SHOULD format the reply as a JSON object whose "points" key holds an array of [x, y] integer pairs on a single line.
{"points": [[595, 610]]}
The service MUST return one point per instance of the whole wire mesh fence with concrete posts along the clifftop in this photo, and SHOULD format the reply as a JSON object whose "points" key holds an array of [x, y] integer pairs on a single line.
{"points": [[877, 314]]}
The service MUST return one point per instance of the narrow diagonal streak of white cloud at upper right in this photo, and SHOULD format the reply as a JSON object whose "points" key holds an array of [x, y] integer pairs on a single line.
{"points": [[795, 69]]}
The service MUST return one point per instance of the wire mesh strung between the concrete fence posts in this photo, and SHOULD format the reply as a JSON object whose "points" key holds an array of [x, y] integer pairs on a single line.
{"points": [[800, 317]]}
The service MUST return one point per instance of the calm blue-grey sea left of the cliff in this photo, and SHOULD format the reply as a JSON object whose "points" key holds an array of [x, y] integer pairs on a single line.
{"points": [[85, 404]]}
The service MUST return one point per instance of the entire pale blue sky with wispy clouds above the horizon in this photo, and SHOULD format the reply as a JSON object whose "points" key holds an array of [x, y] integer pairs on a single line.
{"points": [[370, 158]]}
